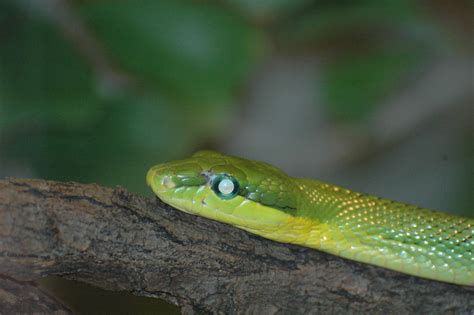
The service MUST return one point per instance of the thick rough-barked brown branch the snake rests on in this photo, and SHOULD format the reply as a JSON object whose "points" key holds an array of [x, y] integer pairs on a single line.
{"points": [[119, 241]]}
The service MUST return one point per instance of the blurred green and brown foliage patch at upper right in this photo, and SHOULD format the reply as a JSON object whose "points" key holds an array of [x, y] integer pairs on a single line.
{"points": [[370, 49]]}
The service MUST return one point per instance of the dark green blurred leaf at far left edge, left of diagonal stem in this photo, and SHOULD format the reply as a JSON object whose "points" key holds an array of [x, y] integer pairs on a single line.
{"points": [[42, 79]]}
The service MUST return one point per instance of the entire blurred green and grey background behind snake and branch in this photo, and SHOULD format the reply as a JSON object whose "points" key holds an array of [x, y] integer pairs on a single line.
{"points": [[371, 95]]}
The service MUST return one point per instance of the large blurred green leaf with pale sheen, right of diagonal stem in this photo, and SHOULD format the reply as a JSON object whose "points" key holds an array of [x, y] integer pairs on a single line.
{"points": [[194, 53]]}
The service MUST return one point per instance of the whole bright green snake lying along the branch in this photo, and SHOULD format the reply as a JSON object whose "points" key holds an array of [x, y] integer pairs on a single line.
{"points": [[267, 202]]}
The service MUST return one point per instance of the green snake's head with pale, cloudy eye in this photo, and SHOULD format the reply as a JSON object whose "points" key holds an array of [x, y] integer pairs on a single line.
{"points": [[244, 193]]}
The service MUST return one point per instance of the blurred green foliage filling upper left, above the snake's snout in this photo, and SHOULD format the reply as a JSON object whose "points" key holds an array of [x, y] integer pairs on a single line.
{"points": [[188, 60]]}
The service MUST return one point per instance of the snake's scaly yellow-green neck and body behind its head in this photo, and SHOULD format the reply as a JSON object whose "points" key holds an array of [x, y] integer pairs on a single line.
{"points": [[385, 233]]}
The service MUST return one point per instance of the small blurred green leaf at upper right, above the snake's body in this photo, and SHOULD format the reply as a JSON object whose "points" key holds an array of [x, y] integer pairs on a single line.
{"points": [[353, 86]]}
